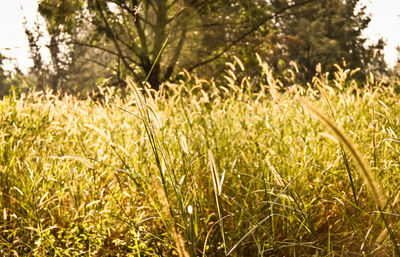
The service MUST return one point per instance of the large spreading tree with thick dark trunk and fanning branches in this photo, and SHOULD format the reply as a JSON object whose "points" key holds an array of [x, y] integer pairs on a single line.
{"points": [[196, 33]]}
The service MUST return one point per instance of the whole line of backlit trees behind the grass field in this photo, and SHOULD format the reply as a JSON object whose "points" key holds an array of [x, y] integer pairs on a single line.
{"points": [[92, 40]]}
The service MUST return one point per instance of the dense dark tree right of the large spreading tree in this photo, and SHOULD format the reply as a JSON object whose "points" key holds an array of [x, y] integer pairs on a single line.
{"points": [[326, 32]]}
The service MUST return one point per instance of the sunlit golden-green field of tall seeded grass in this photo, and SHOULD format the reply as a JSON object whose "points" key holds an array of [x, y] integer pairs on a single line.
{"points": [[203, 169]]}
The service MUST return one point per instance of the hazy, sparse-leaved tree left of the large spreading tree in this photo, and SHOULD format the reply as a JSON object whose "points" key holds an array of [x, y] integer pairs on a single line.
{"points": [[71, 68]]}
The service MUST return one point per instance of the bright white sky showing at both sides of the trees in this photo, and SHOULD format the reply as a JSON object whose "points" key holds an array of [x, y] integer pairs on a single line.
{"points": [[13, 43]]}
